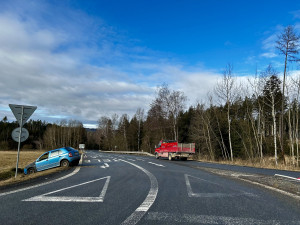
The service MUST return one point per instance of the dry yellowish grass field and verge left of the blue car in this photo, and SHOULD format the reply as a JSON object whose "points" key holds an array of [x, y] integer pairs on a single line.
{"points": [[8, 160]]}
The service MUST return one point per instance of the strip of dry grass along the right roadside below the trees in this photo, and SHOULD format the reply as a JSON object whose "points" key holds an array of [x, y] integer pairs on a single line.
{"points": [[267, 162]]}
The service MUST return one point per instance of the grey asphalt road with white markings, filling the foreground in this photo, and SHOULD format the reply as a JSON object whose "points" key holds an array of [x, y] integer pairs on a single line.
{"points": [[124, 189]]}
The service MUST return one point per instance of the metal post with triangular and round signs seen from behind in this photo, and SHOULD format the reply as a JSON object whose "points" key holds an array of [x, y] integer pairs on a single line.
{"points": [[22, 114]]}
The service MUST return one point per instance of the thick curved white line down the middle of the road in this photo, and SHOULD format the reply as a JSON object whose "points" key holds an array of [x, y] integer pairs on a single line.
{"points": [[149, 200]]}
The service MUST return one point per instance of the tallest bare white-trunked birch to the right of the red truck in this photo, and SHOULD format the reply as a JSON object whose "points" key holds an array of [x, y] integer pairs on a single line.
{"points": [[227, 91]]}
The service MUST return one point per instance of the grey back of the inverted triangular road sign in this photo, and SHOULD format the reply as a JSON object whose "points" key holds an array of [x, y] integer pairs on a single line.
{"points": [[22, 112]]}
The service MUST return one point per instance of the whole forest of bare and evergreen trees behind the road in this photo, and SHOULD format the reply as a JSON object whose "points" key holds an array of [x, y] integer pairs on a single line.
{"points": [[248, 120]]}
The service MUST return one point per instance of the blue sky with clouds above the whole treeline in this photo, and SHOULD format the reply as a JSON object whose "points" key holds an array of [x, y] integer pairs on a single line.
{"points": [[86, 59]]}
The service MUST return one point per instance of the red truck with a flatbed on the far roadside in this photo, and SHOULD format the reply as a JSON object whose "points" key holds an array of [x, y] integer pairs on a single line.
{"points": [[173, 149]]}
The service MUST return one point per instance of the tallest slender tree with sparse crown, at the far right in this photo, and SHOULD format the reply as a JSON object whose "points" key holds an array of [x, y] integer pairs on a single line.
{"points": [[288, 45]]}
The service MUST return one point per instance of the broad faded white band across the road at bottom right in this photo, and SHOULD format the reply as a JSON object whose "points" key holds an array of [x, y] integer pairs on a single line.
{"points": [[208, 219]]}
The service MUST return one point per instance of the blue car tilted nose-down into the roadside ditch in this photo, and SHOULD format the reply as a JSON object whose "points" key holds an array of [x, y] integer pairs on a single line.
{"points": [[59, 157]]}
